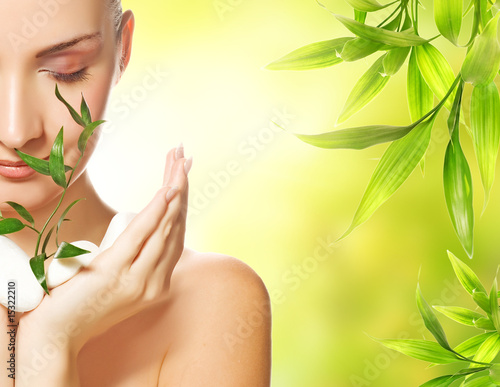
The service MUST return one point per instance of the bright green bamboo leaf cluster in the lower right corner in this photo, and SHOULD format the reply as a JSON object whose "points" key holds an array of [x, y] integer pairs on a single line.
{"points": [[479, 351]]}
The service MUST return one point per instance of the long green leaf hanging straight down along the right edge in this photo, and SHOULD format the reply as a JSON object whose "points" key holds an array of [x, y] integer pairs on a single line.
{"points": [[485, 127]]}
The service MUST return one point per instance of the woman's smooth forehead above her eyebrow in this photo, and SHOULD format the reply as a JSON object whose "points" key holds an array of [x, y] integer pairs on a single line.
{"points": [[30, 25]]}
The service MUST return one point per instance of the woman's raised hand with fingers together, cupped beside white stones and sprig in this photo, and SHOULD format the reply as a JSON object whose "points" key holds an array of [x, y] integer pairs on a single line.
{"points": [[131, 275]]}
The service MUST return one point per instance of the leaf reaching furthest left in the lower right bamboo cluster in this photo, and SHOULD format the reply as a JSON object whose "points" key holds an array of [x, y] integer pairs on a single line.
{"points": [[421, 349]]}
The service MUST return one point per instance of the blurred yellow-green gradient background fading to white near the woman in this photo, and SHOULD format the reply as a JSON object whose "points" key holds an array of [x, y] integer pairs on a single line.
{"points": [[261, 195]]}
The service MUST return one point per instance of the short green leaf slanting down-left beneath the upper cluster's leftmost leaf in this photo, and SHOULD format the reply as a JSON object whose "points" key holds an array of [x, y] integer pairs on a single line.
{"points": [[368, 87]]}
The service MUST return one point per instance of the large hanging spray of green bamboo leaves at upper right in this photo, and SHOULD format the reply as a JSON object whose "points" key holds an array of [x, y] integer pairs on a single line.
{"points": [[395, 40]]}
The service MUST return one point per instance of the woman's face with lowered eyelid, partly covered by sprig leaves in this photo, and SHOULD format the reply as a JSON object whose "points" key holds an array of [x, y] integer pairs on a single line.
{"points": [[44, 42]]}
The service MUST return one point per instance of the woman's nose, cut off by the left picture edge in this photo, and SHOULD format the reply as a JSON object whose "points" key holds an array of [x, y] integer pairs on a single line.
{"points": [[18, 118]]}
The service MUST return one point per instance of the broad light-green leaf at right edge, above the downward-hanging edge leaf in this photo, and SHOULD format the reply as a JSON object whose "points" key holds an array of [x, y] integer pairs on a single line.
{"points": [[482, 62]]}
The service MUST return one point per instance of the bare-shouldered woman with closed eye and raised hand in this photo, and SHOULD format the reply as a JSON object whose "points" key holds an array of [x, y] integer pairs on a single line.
{"points": [[148, 311]]}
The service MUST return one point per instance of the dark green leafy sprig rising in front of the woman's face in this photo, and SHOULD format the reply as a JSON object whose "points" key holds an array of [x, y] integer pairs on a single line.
{"points": [[56, 168]]}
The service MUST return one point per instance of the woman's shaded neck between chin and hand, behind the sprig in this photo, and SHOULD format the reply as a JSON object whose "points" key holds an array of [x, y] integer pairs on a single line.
{"points": [[89, 218]]}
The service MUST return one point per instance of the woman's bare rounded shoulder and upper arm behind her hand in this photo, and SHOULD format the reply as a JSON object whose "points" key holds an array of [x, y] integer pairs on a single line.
{"points": [[221, 313]]}
